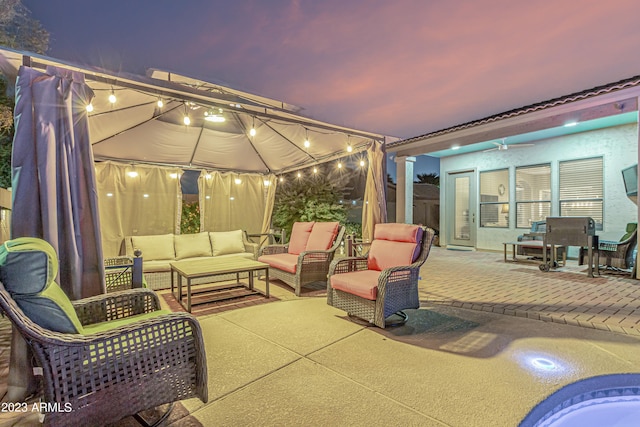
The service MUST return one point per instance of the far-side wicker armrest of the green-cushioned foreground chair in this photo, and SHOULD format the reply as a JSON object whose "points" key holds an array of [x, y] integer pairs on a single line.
{"points": [[116, 305]]}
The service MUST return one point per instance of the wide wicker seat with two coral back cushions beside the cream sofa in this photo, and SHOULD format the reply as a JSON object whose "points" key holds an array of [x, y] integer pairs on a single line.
{"points": [[306, 258]]}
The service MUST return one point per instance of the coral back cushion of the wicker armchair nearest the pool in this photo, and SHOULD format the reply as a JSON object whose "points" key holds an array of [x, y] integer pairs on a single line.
{"points": [[394, 245]]}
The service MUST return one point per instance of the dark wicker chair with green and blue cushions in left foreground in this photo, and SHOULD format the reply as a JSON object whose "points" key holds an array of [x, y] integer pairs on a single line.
{"points": [[103, 358]]}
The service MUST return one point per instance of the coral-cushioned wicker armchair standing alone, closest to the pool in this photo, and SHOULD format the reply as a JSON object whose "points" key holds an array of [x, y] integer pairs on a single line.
{"points": [[358, 286]]}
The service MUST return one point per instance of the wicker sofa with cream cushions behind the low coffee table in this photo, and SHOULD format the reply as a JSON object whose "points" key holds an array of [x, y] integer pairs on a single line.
{"points": [[158, 251]]}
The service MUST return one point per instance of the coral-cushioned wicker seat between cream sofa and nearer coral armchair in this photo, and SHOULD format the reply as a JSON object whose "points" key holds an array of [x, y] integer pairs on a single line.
{"points": [[306, 267]]}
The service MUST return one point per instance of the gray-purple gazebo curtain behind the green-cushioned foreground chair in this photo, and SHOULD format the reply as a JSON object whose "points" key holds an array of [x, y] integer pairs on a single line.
{"points": [[54, 186]]}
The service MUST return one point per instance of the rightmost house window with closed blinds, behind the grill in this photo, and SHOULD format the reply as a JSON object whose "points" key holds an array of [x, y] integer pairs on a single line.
{"points": [[581, 189]]}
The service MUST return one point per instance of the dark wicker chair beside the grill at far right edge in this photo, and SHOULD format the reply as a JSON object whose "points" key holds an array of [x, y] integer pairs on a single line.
{"points": [[614, 255]]}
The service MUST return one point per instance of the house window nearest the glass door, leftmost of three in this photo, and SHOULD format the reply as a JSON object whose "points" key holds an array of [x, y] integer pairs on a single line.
{"points": [[494, 198]]}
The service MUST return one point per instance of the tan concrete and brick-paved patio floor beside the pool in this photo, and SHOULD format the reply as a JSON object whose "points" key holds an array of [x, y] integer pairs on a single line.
{"points": [[465, 358]]}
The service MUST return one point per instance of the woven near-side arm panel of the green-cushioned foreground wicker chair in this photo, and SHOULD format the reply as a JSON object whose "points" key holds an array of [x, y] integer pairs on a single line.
{"points": [[137, 352]]}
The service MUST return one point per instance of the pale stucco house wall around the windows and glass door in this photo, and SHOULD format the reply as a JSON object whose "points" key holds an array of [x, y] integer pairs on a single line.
{"points": [[617, 146]]}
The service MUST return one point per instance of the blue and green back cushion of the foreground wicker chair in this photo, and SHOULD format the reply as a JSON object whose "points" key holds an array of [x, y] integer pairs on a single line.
{"points": [[28, 267]]}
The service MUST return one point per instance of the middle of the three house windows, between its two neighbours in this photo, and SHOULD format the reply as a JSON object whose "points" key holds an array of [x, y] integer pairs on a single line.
{"points": [[533, 194]]}
